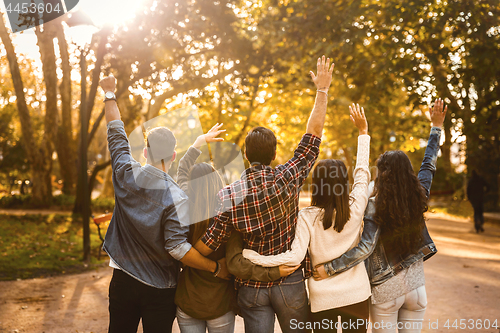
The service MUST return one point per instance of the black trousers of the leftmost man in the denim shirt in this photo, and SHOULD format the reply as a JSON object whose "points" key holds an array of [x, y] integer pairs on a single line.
{"points": [[131, 300]]}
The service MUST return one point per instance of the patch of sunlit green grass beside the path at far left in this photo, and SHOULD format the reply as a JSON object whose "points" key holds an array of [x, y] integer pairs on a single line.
{"points": [[38, 246]]}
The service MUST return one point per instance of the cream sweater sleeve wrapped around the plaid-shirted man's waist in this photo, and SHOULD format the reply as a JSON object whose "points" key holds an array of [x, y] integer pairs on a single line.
{"points": [[292, 257]]}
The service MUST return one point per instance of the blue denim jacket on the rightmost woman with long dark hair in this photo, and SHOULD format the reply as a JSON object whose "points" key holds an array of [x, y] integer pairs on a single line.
{"points": [[381, 265]]}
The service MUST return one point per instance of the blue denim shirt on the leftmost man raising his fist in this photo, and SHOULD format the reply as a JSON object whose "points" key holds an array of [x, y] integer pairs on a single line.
{"points": [[148, 232]]}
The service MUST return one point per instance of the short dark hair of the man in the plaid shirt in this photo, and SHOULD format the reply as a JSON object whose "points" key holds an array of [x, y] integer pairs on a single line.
{"points": [[260, 145]]}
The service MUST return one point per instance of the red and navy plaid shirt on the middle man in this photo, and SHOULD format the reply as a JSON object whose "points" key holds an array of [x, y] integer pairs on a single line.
{"points": [[263, 206]]}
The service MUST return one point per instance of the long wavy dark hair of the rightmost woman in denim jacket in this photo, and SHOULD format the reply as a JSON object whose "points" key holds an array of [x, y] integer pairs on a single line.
{"points": [[400, 202]]}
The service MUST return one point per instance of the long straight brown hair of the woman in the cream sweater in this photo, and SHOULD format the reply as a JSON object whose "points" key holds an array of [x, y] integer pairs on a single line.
{"points": [[330, 191]]}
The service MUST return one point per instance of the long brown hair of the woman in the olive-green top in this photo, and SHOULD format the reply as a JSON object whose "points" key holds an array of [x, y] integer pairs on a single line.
{"points": [[203, 188]]}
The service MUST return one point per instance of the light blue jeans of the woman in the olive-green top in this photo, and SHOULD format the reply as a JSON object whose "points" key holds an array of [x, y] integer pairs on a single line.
{"points": [[223, 324]]}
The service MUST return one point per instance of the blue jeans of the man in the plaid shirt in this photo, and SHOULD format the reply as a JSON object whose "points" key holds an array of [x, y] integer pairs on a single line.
{"points": [[287, 300]]}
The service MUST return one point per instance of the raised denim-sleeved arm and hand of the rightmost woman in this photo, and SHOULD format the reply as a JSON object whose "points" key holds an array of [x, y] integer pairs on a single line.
{"points": [[428, 167]]}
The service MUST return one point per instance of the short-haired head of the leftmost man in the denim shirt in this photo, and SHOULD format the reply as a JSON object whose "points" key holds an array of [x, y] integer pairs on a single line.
{"points": [[161, 144]]}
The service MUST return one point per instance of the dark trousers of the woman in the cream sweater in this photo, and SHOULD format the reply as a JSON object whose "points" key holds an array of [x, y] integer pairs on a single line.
{"points": [[354, 318]]}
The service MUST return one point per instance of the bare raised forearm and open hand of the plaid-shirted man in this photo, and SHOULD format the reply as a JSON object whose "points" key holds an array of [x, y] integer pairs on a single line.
{"points": [[322, 80]]}
